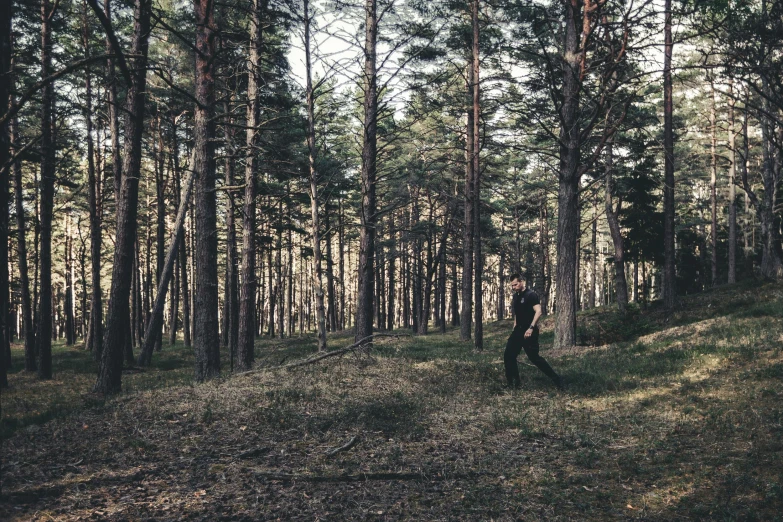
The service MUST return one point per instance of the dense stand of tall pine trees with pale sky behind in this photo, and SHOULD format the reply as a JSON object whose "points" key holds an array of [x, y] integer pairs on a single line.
{"points": [[222, 171]]}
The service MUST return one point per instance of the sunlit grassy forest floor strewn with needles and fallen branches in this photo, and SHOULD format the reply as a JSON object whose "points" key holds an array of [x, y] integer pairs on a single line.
{"points": [[666, 416]]}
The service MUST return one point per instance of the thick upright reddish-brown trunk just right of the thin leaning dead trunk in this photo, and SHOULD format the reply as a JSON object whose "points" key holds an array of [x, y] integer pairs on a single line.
{"points": [[206, 341]]}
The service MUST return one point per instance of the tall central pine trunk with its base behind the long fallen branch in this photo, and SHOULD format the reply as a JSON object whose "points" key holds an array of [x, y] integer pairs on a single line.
{"points": [[364, 299]]}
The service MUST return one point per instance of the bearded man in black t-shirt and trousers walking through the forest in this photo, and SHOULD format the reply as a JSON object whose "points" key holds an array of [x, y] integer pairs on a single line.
{"points": [[527, 312]]}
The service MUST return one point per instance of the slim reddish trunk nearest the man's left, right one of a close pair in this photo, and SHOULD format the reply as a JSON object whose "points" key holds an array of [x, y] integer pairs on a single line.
{"points": [[479, 263]]}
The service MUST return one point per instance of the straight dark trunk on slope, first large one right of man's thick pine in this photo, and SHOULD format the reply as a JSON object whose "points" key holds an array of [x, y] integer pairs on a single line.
{"points": [[669, 276]]}
